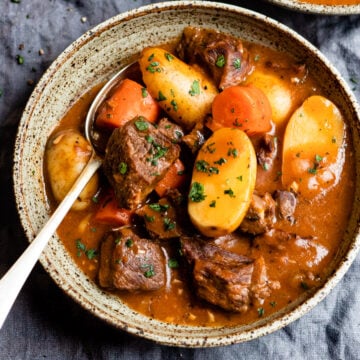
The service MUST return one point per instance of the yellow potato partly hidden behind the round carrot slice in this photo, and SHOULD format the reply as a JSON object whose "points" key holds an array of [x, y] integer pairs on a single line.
{"points": [[277, 91]]}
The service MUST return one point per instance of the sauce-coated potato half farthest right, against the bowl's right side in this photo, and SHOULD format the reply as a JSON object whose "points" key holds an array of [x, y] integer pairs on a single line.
{"points": [[312, 151]]}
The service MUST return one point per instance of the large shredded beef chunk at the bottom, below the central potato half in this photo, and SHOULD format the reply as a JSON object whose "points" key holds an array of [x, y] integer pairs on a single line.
{"points": [[226, 279]]}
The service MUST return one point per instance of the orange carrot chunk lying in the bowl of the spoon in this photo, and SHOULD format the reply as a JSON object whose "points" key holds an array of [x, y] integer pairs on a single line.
{"points": [[128, 101]]}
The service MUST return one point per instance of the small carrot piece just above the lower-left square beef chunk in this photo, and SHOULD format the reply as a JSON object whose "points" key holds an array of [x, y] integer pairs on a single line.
{"points": [[110, 213]]}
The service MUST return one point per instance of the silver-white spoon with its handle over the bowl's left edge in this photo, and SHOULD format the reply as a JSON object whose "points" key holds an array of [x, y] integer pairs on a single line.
{"points": [[12, 282]]}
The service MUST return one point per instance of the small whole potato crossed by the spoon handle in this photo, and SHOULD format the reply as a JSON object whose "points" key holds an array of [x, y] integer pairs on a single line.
{"points": [[67, 153]]}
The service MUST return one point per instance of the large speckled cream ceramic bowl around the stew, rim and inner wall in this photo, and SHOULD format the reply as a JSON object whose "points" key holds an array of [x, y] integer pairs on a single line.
{"points": [[90, 60]]}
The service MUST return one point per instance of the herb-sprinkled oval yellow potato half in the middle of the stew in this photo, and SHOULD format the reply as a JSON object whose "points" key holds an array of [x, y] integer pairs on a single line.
{"points": [[223, 181]]}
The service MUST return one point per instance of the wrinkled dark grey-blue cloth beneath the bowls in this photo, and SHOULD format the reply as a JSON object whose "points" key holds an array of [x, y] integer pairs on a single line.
{"points": [[44, 322]]}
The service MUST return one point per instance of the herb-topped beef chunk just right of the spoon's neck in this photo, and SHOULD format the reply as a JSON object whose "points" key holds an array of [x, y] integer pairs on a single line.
{"points": [[137, 157]]}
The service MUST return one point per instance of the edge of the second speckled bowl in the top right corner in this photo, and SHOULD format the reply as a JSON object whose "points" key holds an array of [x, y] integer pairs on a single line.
{"points": [[317, 8]]}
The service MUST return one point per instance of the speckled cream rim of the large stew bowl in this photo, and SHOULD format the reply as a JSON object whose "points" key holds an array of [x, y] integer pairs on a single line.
{"points": [[181, 335]]}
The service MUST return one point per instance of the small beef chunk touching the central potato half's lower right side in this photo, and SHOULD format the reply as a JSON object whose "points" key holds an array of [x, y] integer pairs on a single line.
{"points": [[260, 216]]}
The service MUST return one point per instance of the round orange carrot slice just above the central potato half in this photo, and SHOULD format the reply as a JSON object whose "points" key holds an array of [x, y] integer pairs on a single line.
{"points": [[243, 107]]}
